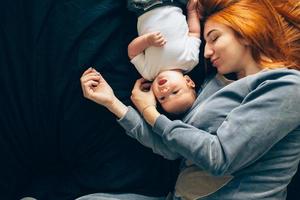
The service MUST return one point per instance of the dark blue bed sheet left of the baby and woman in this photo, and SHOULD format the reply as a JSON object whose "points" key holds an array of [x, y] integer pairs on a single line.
{"points": [[54, 144]]}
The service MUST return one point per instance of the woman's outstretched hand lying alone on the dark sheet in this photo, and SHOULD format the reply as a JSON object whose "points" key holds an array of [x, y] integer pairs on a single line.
{"points": [[95, 88]]}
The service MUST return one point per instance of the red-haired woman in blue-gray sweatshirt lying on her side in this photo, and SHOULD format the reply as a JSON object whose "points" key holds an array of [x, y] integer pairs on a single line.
{"points": [[247, 132]]}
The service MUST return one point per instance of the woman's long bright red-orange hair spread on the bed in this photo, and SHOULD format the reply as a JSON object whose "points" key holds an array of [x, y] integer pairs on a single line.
{"points": [[270, 27]]}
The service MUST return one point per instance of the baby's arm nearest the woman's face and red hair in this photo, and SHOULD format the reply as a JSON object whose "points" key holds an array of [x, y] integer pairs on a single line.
{"points": [[193, 19]]}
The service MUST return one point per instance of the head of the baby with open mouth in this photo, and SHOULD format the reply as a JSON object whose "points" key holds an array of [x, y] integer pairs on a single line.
{"points": [[174, 91]]}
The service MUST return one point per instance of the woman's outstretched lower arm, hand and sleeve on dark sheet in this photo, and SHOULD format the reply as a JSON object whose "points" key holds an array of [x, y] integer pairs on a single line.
{"points": [[95, 88]]}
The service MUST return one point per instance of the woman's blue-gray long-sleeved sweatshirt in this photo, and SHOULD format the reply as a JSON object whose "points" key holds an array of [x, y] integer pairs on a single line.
{"points": [[249, 129]]}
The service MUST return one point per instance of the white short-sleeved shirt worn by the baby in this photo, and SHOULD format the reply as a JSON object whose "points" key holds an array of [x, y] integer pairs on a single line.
{"points": [[181, 50]]}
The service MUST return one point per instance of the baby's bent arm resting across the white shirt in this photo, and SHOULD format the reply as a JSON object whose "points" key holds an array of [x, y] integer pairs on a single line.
{"points": [[139, 44]]}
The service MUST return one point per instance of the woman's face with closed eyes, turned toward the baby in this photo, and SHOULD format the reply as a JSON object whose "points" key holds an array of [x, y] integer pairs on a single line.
{"points": [[227, 52]]}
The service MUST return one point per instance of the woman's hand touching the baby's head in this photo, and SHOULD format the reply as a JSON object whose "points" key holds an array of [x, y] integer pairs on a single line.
{"points": [[144, 100]]}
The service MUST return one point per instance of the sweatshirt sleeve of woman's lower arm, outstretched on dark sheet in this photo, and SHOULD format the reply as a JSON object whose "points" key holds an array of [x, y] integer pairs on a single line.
{"points": [[137, 128]]}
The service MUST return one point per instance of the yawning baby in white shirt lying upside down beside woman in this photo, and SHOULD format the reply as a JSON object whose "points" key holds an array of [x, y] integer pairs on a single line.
{"points": [[167, 47]]}
